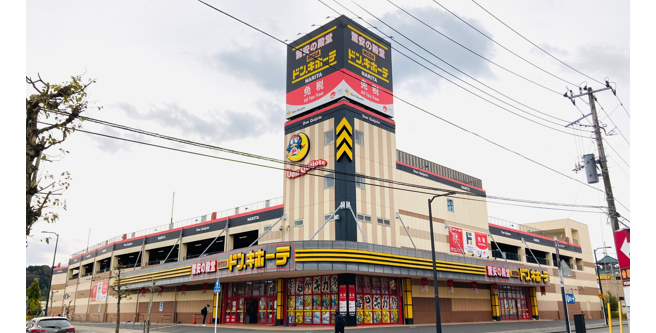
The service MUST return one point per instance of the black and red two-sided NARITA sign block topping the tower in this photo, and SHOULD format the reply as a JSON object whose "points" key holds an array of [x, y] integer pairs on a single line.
{"points": [[339, 59]]}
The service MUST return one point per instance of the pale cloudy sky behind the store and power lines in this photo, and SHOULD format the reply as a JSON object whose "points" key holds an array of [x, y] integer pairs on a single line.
{"points": [[182, 69]]}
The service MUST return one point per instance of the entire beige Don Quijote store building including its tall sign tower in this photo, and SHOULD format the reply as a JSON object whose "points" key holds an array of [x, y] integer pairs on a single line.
{"points": [[335, 241]]}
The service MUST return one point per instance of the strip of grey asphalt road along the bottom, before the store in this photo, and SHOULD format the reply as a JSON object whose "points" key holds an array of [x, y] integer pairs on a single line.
{"points": [[541, 326]]}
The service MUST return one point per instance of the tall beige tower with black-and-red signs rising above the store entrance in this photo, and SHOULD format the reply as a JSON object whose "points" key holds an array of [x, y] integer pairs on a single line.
{"points": [[339, 117]]}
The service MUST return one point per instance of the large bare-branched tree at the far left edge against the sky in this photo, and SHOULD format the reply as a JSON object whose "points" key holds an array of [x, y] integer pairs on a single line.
{"points": [[53, 112]]}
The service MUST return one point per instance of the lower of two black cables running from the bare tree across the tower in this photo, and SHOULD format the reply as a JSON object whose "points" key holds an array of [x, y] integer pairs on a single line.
{"points": [[312, 174]]}
